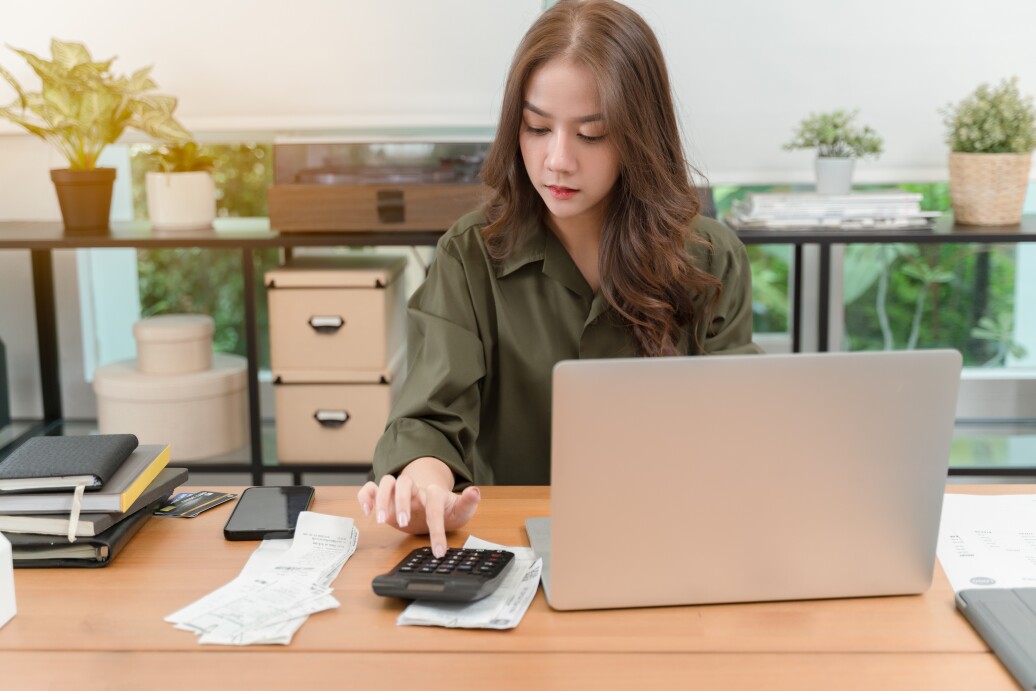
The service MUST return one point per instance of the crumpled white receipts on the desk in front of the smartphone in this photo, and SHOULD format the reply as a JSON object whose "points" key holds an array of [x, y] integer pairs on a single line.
{"points": [[283, 583]]}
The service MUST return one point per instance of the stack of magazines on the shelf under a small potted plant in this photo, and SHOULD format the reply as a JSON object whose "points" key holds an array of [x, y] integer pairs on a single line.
{"points": [[857, 211]]}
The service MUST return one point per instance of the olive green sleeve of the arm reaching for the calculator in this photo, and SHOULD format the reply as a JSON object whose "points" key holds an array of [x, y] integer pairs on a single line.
{"points": [[437, 412]]}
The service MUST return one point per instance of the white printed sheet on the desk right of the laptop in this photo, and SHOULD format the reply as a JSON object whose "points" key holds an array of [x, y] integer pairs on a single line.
{"points": [[989, 541]]}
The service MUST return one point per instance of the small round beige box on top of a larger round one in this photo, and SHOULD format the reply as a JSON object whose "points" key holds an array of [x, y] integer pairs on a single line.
{"points": [[175, 343]]}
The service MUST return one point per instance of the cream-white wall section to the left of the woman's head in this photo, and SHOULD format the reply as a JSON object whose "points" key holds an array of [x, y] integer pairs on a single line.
{"points": [[307, 64]]}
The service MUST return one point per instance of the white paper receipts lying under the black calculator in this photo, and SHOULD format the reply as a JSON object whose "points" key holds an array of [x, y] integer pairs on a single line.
{"points": [[503, 610]]}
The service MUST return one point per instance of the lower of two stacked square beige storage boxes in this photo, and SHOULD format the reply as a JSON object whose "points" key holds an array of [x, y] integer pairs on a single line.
{"points": [[332, 422]]}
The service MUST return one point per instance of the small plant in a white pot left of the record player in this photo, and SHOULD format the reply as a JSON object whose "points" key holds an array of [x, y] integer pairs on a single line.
{"points": [[182, 195]]}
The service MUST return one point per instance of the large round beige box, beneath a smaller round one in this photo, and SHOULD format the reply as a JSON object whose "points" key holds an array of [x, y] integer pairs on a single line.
{"points": [[199, 415]]}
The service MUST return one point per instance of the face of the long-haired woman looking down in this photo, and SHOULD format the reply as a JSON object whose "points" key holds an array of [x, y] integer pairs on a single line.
{"points": [[568, 156]]}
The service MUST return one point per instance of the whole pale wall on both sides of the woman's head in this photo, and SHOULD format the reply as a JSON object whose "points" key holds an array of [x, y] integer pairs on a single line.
{"points": [[745, 71]]}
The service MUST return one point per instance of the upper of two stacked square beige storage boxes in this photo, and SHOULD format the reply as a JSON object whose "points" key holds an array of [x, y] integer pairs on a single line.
{"points": [[336, 319]]}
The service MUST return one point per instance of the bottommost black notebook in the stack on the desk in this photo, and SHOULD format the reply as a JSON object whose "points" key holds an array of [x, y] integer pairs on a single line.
{"points": [[33, 551]]}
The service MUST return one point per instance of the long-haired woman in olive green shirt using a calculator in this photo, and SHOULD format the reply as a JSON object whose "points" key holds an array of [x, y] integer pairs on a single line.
{"points": [[589, 247]]}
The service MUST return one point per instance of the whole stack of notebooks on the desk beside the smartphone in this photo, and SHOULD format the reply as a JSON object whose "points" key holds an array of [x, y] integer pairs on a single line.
{"points": [[77, 501]]}
